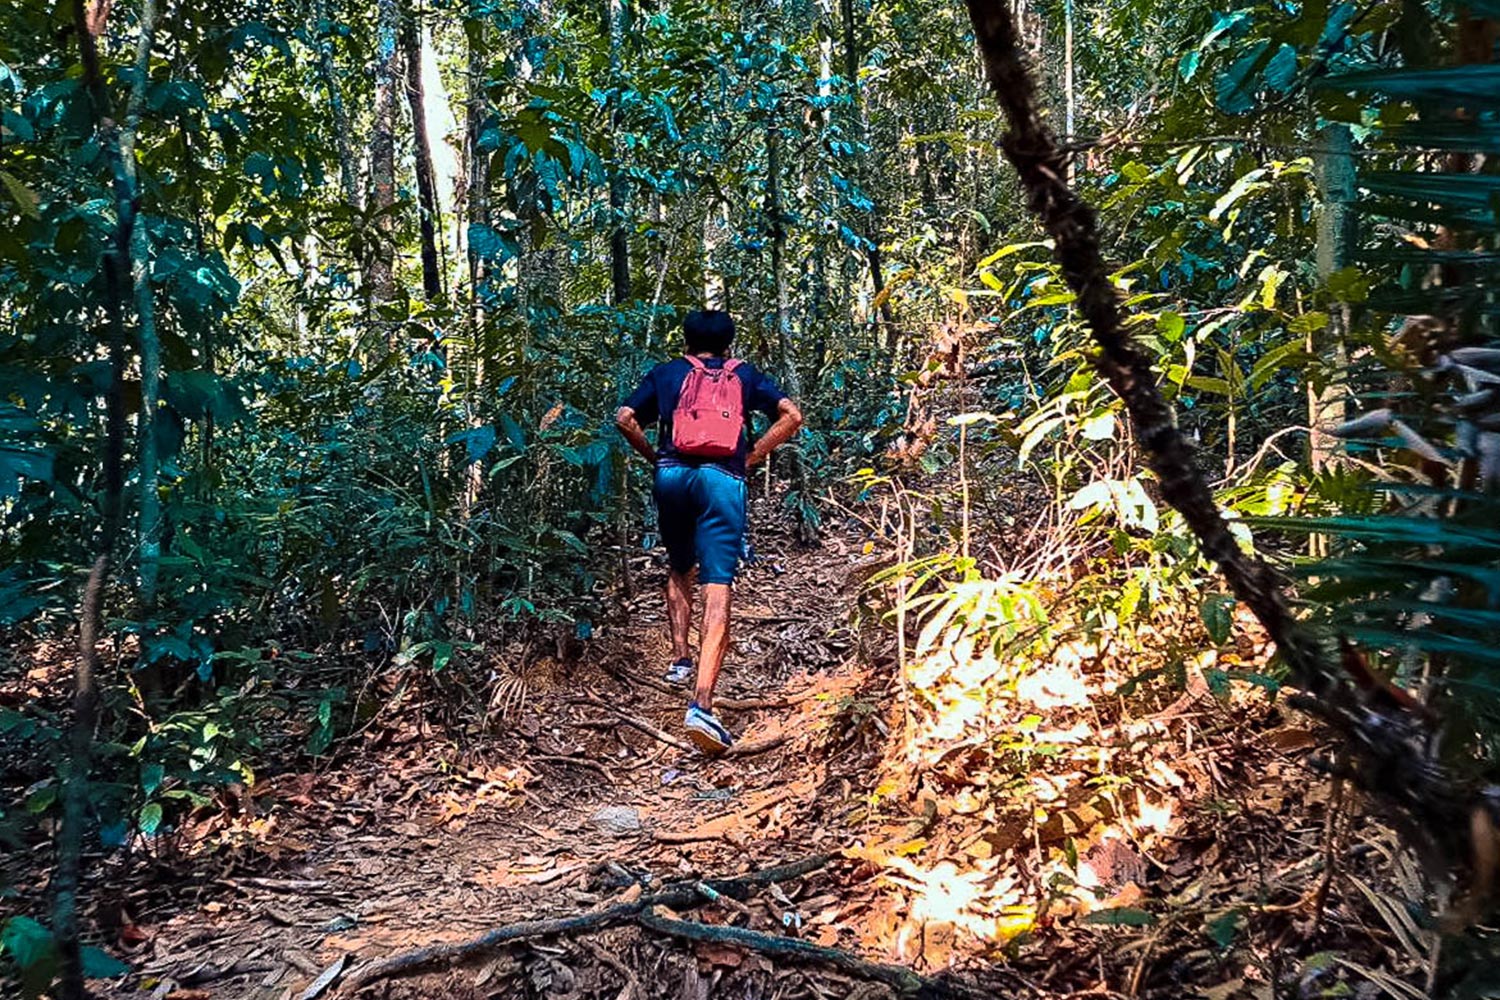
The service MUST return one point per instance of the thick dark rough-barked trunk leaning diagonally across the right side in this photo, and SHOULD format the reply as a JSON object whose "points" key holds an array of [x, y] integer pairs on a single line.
{"points": [[1388, 743]]}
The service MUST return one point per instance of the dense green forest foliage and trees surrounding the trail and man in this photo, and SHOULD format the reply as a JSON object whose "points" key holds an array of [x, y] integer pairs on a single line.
{"points": [[346, 490]]}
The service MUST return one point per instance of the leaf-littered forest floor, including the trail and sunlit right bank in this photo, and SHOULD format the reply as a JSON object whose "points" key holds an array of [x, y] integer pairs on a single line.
{"points": [[1187, 852]]}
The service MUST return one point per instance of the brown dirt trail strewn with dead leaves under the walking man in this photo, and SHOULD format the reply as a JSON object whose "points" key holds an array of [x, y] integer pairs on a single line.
{"points": [[559, 809]]}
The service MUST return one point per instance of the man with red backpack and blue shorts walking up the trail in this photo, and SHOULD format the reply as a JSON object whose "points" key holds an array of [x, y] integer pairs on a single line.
{"points": [[703, 404]]}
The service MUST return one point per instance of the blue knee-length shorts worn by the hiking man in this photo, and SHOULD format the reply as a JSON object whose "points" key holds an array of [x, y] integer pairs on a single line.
{"points": [[703, 519]]}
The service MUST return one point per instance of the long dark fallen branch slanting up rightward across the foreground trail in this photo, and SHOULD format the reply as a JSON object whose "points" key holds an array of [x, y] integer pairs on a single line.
{"points": [[679, 897]]}
